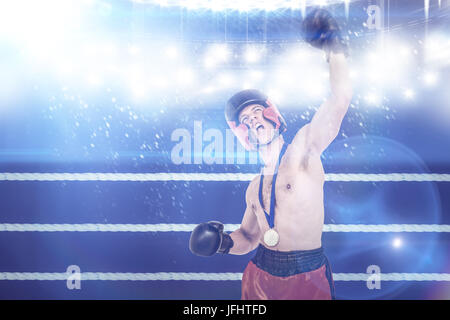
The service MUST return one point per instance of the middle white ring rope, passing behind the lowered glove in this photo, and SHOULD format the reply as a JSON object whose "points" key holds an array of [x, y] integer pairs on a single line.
{"points": [[162, 227]]}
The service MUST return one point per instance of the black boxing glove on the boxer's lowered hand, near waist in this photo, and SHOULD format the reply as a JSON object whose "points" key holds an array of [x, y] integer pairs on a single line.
{"points": [[208, 238]]}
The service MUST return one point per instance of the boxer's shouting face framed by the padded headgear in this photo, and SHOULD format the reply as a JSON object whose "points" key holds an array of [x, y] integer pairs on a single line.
{"points": [[252, 117]]}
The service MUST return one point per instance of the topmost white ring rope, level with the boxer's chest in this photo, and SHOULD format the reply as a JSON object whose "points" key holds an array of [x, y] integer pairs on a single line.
{"points": [[344, 177]]}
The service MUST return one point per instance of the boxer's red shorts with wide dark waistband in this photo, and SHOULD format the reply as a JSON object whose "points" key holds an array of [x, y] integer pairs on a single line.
{"points": [[294, 275]]}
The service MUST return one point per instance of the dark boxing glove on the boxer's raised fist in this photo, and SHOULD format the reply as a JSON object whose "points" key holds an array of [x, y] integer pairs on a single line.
{"points": [[322, 31]]}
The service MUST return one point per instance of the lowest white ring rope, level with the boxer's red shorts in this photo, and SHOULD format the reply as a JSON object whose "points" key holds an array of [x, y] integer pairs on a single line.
{"points": [[195, 276]]}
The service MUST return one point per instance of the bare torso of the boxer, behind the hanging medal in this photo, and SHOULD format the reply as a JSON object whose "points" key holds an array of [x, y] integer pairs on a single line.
{"points": [[299, 209]]}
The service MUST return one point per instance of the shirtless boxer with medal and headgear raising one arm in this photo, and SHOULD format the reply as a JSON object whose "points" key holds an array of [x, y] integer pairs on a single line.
{"points": [[285, 211]]}
